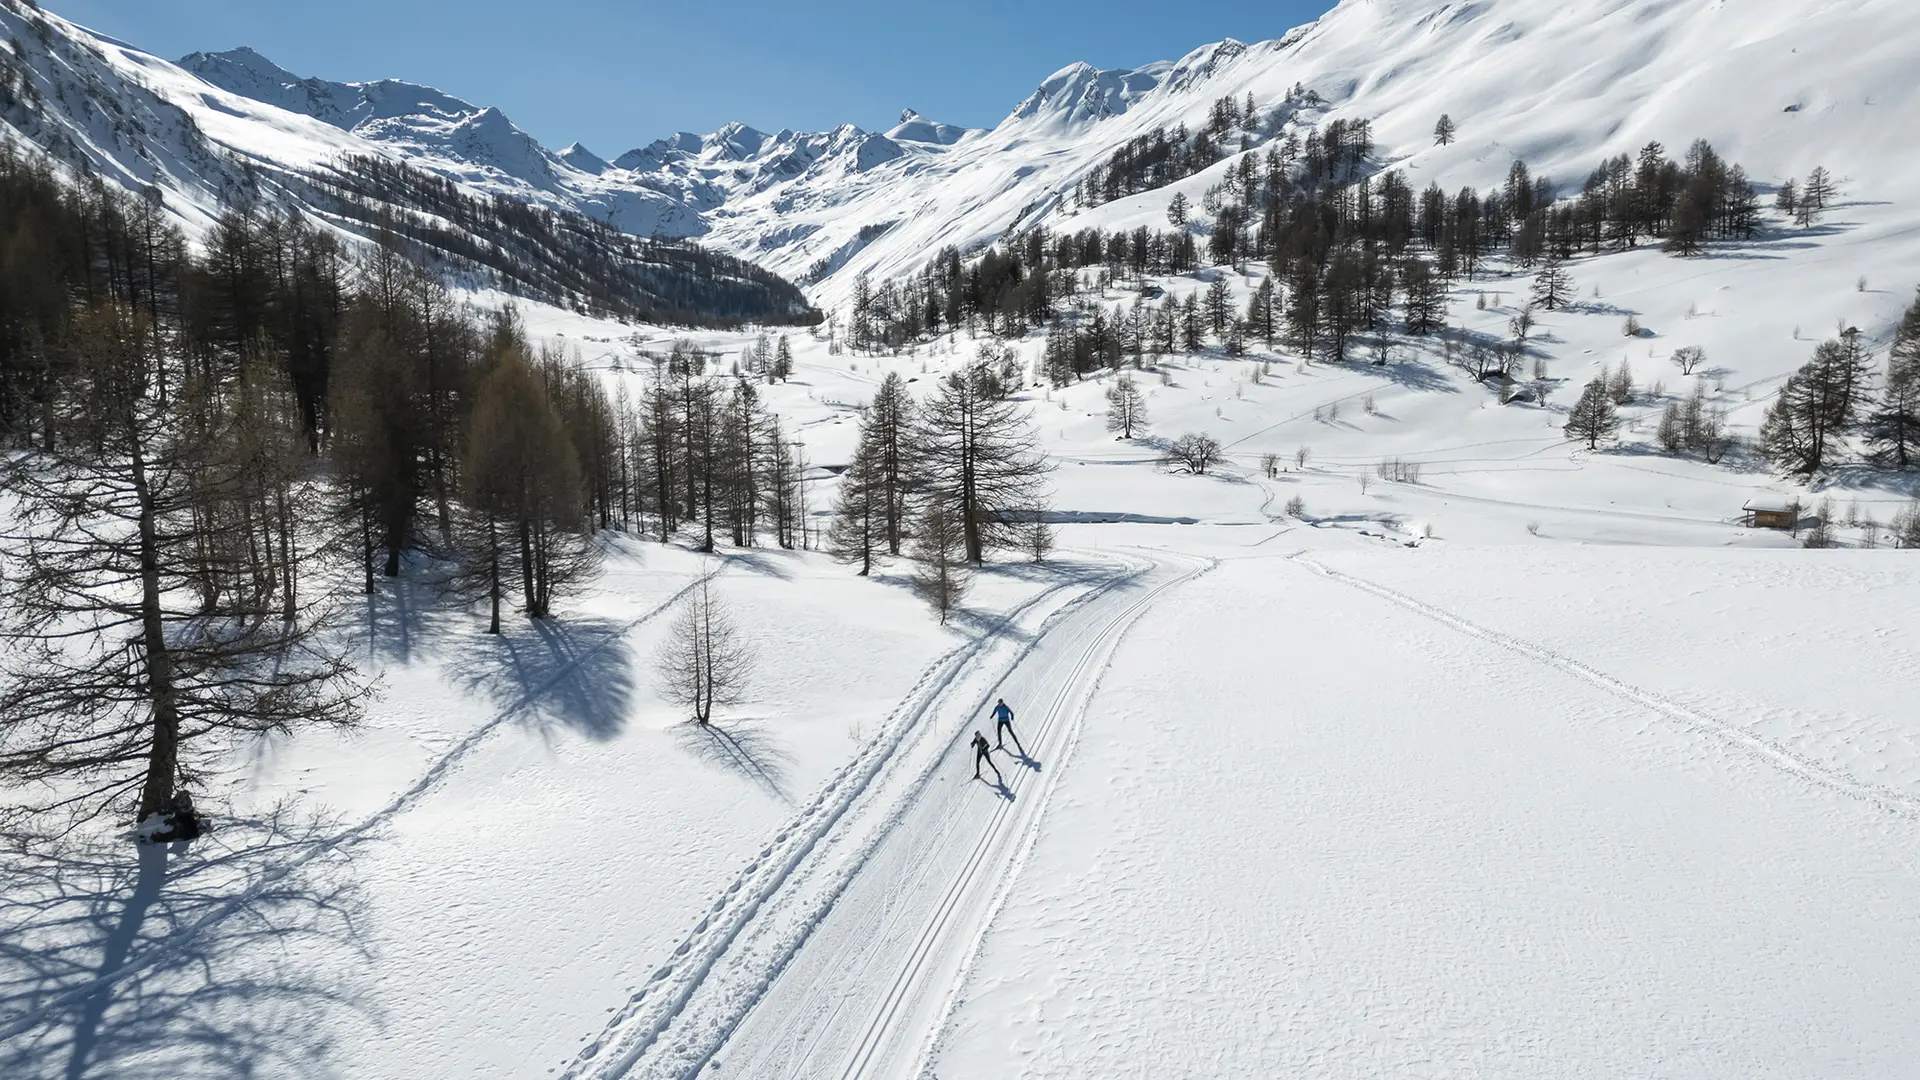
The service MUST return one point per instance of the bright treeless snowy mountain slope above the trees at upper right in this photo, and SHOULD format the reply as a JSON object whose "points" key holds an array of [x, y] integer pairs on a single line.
{"points": [[1556, 86]]}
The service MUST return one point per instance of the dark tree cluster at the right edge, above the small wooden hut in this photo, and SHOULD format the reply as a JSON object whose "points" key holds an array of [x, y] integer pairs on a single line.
{"points": [[1833, 403]]}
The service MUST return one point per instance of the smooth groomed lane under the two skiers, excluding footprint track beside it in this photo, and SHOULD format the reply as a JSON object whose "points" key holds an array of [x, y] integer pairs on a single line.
{"points": [[865, 985]]}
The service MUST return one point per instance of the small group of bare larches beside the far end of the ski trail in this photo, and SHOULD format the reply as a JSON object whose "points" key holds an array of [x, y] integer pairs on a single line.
{"points": [[953, 478]]}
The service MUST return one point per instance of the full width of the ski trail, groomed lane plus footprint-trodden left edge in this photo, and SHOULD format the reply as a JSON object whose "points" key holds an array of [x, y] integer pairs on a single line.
{"points": [[921, 862]]}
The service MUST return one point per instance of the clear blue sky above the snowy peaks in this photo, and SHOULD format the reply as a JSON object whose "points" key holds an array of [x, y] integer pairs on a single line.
{"points": [[619, 74]]}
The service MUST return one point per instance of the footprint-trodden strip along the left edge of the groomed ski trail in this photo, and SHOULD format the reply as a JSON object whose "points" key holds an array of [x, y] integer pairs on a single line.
{"points": [[652, 1010]]}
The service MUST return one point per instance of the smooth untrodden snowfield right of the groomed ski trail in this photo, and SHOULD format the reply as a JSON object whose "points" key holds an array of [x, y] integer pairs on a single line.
{"points": [[1324, 829]]}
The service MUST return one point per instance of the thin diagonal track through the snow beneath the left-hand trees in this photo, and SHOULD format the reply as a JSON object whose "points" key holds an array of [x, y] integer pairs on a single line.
{"points": [[431, 779]]}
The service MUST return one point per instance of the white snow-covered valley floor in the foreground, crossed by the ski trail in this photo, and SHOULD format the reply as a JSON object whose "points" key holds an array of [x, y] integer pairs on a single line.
{"points": [[1541, 768]]}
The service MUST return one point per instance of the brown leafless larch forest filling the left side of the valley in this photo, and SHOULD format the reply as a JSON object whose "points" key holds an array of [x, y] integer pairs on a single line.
{"points": [[201, 443]]}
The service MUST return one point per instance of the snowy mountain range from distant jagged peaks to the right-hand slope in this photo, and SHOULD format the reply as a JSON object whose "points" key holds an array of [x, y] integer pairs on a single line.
{"points": [[1777, 86]]}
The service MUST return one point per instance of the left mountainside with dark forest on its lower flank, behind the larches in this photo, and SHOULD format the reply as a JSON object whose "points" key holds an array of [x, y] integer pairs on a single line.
{"points": [[103, 109]]}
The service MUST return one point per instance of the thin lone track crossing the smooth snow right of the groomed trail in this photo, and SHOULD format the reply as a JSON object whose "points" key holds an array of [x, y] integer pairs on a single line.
{"points": [[1760, 749]]}
